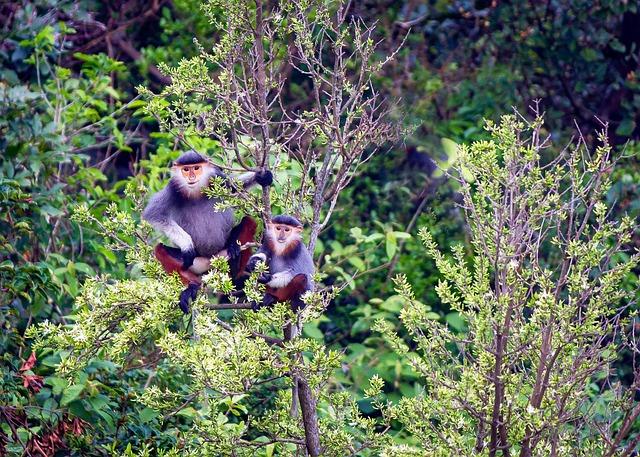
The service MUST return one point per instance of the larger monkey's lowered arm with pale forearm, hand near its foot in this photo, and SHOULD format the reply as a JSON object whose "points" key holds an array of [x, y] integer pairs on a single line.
{"points": [[157, 213]]}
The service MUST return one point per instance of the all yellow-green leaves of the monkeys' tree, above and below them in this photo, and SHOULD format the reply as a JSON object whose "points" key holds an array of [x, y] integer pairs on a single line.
{"points": [[231, 360]]}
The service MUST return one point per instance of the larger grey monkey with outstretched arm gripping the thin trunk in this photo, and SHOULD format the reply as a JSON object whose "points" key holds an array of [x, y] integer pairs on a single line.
{"points": [[183, 213]]}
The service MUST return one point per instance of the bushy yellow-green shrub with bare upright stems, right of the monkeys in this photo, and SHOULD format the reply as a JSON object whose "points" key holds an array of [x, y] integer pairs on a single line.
{"points": [[543, 306]]}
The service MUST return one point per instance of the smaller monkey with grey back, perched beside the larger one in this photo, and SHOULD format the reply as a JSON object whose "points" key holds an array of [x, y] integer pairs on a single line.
{"points": [[290, 263]]}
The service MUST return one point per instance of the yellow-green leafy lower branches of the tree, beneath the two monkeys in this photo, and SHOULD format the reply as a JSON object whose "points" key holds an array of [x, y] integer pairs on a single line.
{"points": [[222, 361]]}
